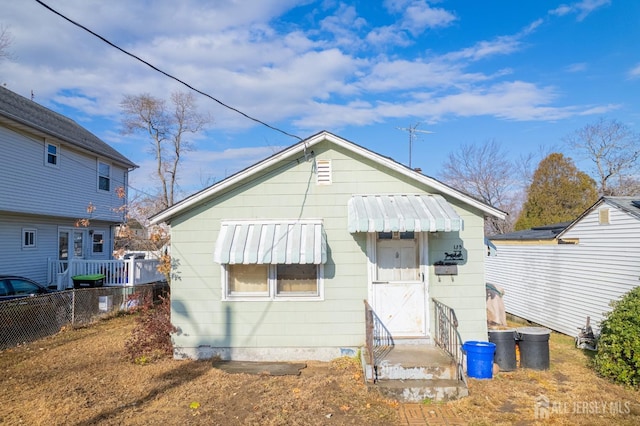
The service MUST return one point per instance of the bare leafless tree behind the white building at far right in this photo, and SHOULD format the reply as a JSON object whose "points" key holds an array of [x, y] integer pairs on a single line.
{"points": [[612, 147]]}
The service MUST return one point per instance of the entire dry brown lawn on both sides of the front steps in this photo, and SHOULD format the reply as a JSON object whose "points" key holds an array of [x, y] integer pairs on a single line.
{"points": [[82, 377]]}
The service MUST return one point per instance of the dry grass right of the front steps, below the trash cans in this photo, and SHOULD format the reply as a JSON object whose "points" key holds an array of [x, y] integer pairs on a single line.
{"points": [[574, 393]]}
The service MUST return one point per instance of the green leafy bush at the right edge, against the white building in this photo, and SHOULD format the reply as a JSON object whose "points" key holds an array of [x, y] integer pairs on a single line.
{"points": [[618, 356]]}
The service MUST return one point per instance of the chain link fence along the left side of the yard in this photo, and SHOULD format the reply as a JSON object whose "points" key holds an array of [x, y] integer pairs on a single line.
{"points": [[31, 318]]}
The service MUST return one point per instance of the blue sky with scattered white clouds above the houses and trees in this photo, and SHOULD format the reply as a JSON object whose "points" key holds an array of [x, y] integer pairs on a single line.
{"points": [[524, 73]]}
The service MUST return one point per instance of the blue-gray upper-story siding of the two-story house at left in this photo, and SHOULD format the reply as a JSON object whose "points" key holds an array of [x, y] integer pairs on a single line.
{"points": [[27, 185]]}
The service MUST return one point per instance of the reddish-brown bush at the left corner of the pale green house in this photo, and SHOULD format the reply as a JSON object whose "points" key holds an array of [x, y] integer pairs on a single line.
{"points": [[151, 336]]}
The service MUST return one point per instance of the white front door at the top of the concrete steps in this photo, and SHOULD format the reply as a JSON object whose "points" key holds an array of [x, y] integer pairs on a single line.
{"points": [[399, 292]]}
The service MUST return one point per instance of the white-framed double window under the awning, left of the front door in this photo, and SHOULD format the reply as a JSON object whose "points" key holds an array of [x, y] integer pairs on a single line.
{"points": [[272, 282]]}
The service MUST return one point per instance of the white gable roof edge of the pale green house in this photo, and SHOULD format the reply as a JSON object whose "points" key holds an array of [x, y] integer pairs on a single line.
{"points": [[302, 148]]}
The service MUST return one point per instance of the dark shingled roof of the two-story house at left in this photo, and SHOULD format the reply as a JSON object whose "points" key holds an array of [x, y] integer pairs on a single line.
{"points": [[33, 117]]}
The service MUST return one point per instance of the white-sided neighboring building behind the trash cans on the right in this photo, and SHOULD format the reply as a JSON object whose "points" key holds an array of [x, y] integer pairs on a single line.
{"points": [[558, 275]]}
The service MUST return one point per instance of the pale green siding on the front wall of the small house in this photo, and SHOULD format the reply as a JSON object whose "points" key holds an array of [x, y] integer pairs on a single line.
{"points": [[289, 191]]}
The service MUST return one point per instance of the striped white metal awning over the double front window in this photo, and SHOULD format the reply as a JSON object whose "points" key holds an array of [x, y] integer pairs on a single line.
{"points": [[271, 242]]}
